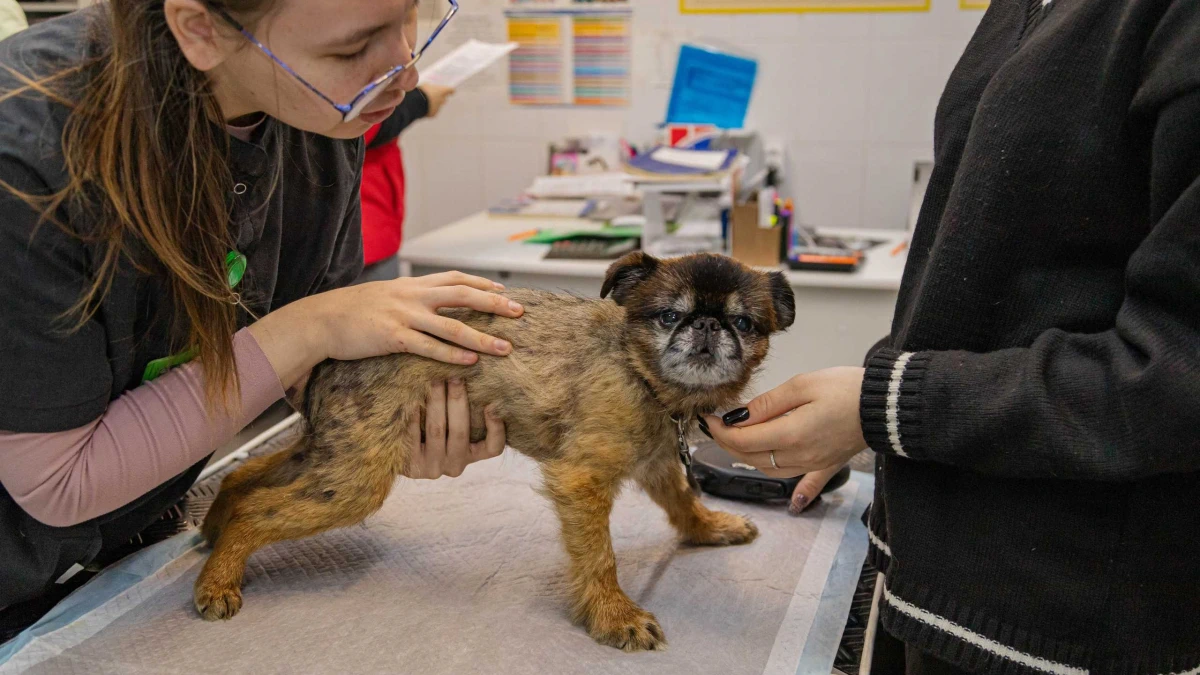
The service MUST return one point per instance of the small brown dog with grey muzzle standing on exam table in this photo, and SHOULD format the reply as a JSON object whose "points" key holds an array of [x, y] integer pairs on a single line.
{"points": [[596, 392]]}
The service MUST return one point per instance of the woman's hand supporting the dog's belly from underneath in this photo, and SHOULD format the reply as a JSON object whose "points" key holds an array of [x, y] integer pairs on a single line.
{"points": [[448, 450]]}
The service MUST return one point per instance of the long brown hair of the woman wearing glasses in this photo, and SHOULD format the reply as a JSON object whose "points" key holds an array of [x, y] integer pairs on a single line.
{"points": [[148, 162]]}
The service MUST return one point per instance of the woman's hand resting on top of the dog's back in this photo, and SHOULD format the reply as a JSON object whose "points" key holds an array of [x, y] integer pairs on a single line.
{"points": [[383, 318]]}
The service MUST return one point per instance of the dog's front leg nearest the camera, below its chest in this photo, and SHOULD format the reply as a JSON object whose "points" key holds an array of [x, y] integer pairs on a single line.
{"points": [[584, 498]]}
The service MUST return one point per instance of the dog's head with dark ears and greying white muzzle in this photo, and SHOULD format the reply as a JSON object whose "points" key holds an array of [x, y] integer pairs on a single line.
{"points": [[699, 322]]}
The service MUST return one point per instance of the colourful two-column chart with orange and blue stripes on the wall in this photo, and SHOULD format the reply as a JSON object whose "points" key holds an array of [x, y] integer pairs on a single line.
{"points": [[577, 55]]}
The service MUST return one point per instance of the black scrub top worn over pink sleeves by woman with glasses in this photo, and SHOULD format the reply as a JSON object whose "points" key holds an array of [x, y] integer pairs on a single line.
{"points": [[295, 204]]}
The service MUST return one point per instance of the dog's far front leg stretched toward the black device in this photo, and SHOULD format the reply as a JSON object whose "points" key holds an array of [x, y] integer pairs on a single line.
{"points": [[667, 483]]}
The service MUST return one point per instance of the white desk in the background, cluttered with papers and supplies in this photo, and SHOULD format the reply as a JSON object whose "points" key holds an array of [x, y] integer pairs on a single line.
{"points": [[838, 316]]}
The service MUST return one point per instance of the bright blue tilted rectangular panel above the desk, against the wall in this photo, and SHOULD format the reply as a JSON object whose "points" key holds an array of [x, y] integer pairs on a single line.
{"points": [[711, 88]]}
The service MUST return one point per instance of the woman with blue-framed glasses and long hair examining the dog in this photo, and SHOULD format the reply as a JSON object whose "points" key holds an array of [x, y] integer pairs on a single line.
{"points": [[179, 217]]}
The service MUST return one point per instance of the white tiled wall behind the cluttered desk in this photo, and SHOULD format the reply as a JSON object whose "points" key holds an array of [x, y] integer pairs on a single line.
{"points": [[850, 95]]}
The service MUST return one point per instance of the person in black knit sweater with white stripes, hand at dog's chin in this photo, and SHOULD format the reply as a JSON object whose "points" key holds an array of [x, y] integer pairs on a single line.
{"points": [[1036, 409]]}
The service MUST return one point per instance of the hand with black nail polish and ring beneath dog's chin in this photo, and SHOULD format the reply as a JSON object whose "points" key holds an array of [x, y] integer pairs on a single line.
{"points": [[811, 425]]}
